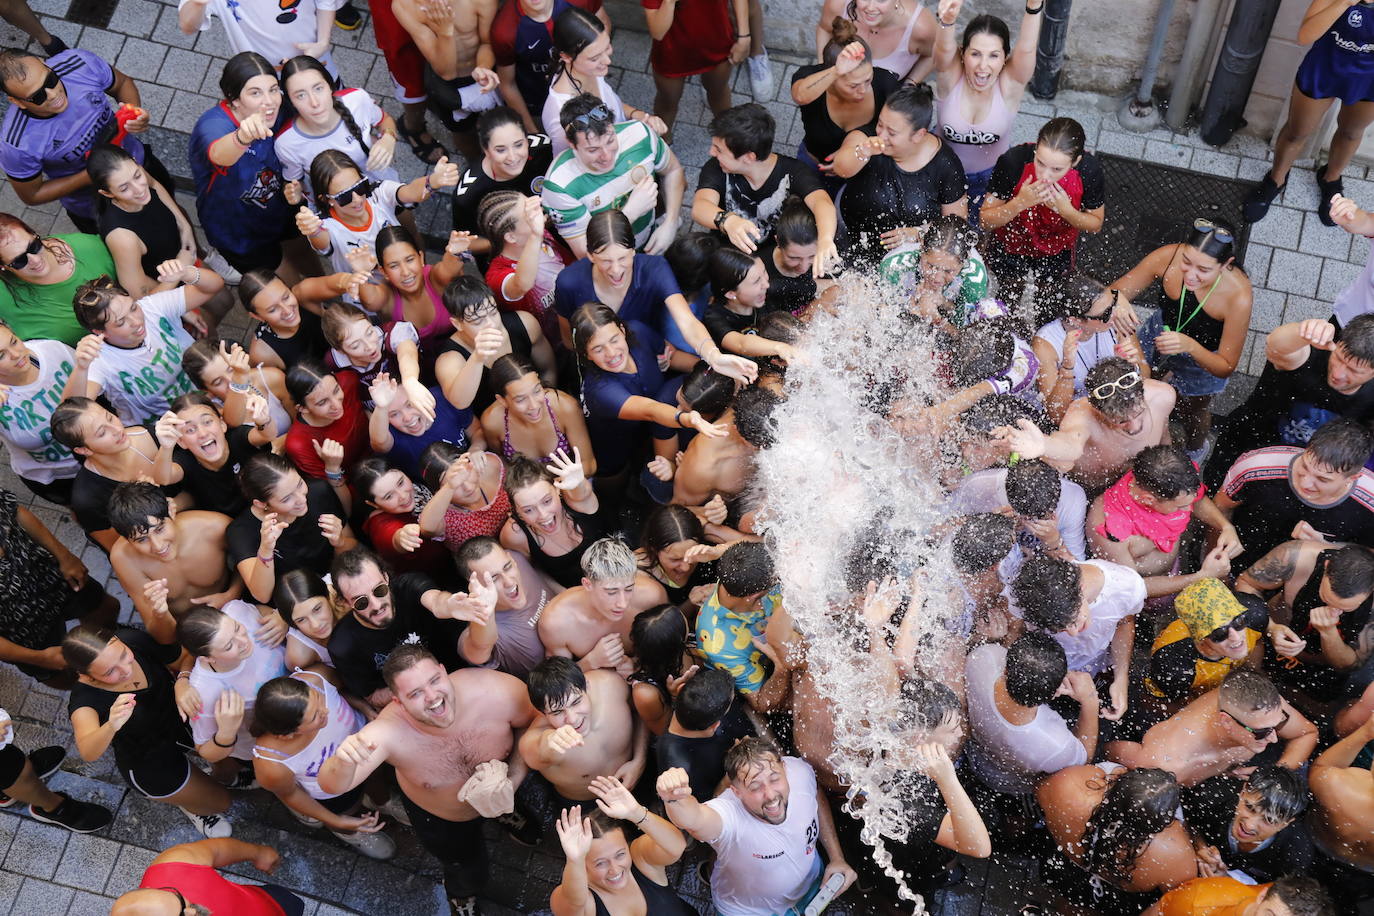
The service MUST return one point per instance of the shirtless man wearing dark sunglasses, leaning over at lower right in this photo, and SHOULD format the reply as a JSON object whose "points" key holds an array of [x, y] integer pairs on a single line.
{"points": [[1222, 731]]}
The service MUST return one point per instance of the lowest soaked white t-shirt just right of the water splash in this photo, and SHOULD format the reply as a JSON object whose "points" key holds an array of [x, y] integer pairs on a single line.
{"points": [[1006, 757]]}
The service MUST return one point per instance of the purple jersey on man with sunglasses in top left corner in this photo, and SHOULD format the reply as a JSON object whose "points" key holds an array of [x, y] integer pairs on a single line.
{"points": [[58, 146]]}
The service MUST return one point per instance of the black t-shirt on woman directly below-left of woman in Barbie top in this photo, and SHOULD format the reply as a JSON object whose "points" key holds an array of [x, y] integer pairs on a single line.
{"points": [[884, 197]]}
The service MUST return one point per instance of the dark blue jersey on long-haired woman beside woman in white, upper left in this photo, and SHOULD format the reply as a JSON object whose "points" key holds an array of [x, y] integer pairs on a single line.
{"points": [[247, 197]]}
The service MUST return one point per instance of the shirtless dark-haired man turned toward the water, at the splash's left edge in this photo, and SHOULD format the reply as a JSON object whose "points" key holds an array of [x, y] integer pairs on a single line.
{"points": [[723, 466]]}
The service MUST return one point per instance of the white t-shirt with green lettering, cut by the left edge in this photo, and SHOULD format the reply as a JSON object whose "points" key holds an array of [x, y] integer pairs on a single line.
{"points": [[25, 418]]}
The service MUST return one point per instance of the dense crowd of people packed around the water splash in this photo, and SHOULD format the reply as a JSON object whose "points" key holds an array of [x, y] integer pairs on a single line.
{"points": [[466, 534]]}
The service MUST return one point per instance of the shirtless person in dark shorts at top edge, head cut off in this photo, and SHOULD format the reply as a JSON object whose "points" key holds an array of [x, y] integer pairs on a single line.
{"points": [[455, 38]]}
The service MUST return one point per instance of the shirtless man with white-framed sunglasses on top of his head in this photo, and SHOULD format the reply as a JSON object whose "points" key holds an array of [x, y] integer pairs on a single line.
{"points": [[1101, 433]]}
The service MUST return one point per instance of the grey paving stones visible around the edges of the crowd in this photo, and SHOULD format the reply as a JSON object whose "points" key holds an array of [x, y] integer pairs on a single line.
{"points": [[1296, 266]]}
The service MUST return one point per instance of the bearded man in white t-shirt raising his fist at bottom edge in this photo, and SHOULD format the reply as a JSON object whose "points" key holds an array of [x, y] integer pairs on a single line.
{"points": [[765, 830]]}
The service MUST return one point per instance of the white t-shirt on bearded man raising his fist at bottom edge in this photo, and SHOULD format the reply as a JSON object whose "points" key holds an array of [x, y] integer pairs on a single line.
{"points": [[765, 869]]}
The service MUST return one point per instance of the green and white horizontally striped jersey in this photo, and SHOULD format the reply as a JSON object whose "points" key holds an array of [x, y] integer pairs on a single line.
{"points": [[572, 194]]}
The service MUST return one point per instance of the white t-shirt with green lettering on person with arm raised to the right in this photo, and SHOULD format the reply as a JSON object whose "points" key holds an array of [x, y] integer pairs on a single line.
{"points": [[142, 382]]}
